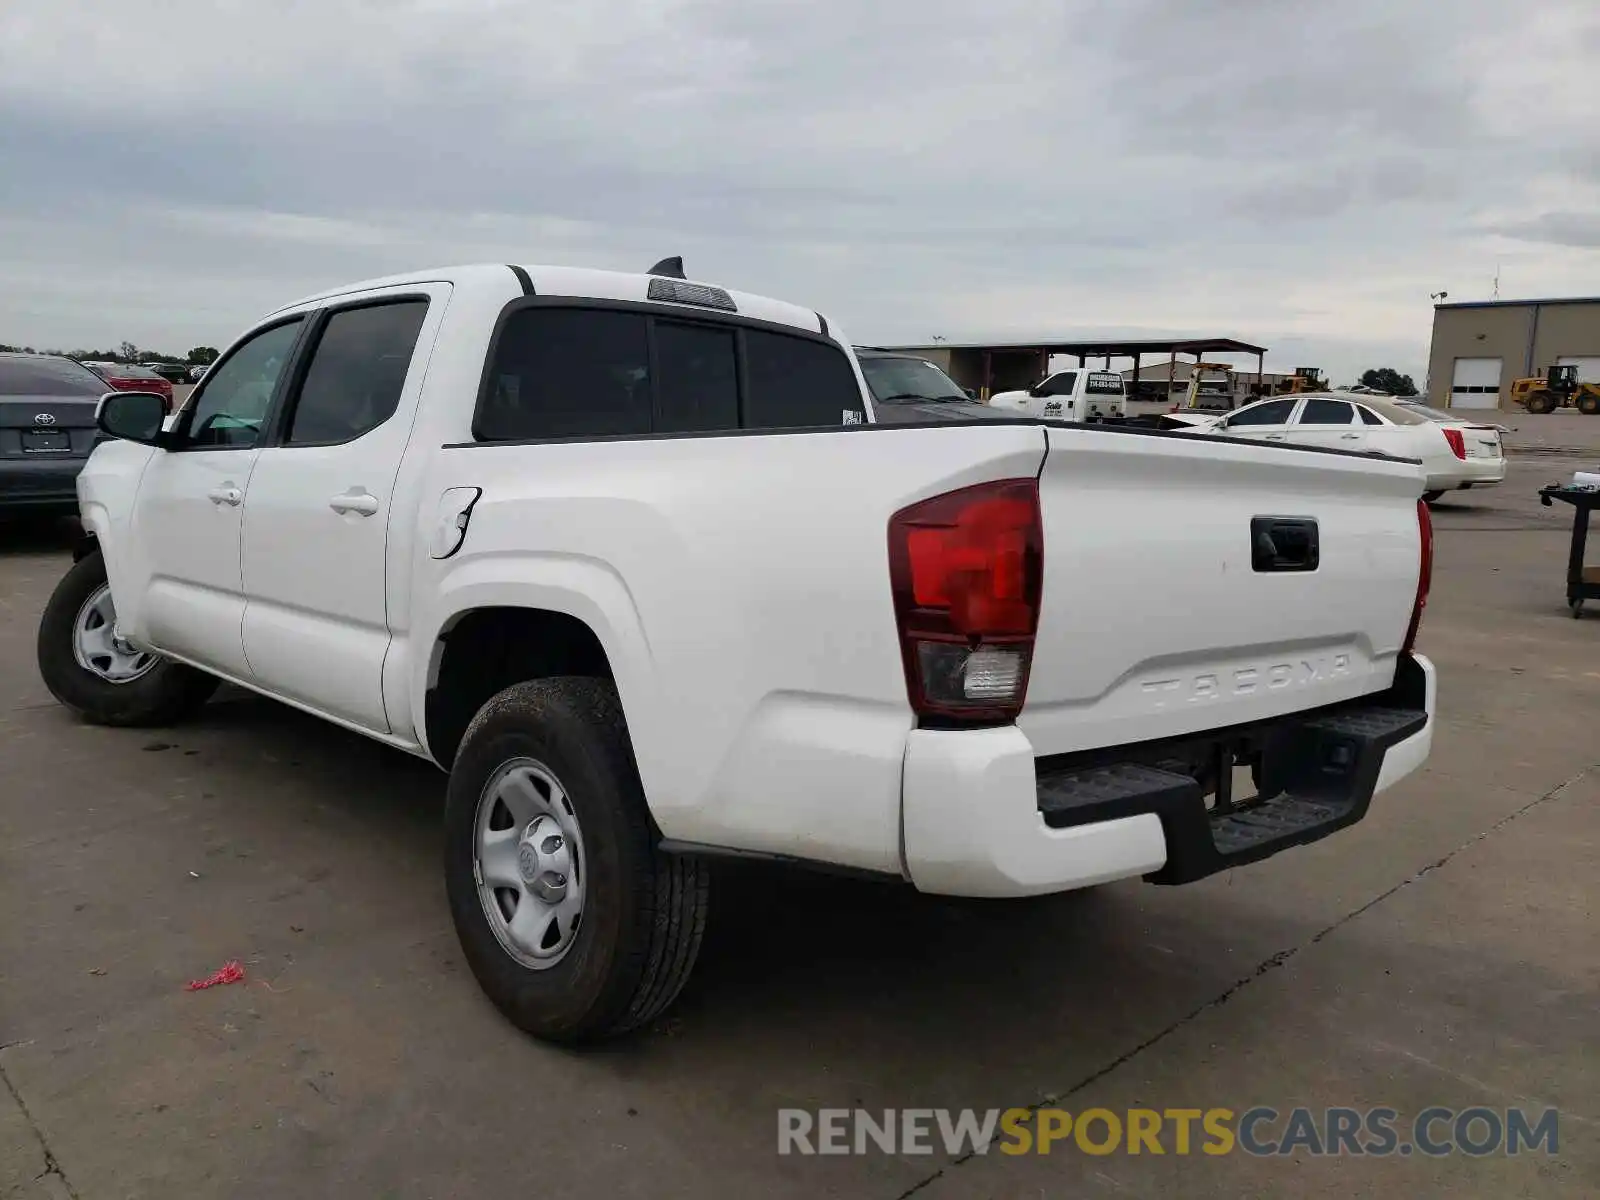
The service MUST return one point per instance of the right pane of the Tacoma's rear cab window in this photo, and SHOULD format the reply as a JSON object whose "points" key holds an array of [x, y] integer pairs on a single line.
{"points": [[796, 383]]}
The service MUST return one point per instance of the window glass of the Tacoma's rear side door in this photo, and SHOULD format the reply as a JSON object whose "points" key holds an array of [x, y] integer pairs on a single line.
{"points": [[358, 374]]}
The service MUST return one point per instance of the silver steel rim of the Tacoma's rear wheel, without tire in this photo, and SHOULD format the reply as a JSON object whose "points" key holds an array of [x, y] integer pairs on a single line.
{"points": [[529, 863]]}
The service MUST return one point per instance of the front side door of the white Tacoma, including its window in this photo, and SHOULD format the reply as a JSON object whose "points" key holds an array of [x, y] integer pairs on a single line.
{"points": [[185, 590]]}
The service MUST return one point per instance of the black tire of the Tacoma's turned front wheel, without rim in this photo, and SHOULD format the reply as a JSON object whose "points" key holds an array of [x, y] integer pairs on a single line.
{"points": [[164, 695]]}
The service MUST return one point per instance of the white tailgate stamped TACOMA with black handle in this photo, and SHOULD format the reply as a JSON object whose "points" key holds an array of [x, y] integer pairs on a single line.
{"points": [[1162, 610]]}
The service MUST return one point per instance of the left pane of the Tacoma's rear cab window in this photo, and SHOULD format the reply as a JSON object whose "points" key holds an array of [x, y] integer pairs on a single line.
{"points": [[567, 374]]}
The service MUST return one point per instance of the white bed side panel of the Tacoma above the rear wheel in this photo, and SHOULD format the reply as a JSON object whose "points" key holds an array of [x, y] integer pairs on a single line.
{"points": [[740, 588]]}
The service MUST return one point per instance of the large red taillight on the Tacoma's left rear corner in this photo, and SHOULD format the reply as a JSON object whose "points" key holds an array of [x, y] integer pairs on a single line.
{"points": [[966, 570]]}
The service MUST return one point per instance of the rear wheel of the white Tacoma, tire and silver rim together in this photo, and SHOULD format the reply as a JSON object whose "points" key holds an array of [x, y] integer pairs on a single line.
{"points": [[574, 922]]}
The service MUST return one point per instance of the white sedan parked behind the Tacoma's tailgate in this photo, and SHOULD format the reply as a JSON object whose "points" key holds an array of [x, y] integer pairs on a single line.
{"points": [[1455, 454]]}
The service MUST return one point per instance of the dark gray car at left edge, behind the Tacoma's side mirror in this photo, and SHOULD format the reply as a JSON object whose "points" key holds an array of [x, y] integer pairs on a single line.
{"points": [[47, 431]]}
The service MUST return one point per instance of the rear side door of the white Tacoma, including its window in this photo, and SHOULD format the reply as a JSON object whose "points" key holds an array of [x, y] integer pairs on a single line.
{"points": [[318, 519]]}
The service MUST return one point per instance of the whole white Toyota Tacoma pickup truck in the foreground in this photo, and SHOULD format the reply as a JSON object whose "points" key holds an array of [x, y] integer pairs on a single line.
{"points": [[634, 561]]}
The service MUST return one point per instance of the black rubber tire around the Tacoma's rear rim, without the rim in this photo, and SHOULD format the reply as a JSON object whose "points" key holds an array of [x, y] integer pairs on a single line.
{"points": [[644, 913]]}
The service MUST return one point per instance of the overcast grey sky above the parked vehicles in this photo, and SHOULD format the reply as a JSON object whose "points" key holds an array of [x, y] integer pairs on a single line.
{"points": [[1289, 172]]}
